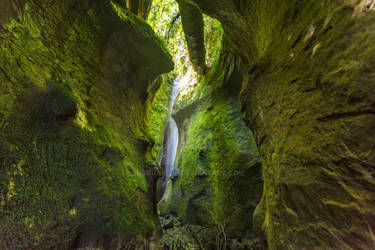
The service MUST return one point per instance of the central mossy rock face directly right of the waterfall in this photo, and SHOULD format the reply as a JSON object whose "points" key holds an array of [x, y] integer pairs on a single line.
{"points": [[218, 182]]}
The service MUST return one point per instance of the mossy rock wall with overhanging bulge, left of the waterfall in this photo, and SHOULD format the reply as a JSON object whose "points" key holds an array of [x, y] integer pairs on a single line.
{"points": [[74, 81]]}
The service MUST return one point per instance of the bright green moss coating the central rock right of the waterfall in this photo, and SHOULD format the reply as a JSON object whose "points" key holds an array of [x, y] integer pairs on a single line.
{"points": [[221, 149]]}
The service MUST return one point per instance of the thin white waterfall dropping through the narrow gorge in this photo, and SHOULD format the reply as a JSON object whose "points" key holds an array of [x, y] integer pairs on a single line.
{"points": [[170, 141]]}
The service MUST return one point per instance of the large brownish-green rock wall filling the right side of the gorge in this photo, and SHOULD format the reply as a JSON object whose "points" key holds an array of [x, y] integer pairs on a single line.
{"points": [[309, 98]]}
